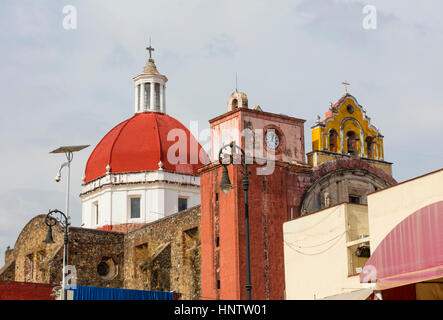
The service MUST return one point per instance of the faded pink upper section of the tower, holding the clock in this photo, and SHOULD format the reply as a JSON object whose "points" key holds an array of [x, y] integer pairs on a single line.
{"points": [[263, 135]]}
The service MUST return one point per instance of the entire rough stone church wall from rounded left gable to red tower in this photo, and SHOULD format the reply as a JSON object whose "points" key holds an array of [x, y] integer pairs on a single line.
{"points": [[163, 255]]}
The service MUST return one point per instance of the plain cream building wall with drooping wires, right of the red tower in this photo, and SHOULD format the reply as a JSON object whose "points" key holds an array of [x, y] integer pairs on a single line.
{"points": [[316, 255]]}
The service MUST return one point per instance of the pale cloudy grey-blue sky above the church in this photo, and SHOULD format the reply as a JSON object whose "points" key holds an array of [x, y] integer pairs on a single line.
{"points": [[63, 86]]}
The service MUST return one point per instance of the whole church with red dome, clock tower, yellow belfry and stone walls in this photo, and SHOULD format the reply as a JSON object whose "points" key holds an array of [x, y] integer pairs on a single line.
{"points": [[153, 220]]}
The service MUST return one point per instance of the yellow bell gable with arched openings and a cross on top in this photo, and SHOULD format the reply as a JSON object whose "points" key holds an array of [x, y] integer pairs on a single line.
{"points": [[347, 131]]}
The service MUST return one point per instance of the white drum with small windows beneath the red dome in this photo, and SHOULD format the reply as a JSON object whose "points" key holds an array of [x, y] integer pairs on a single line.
{"points": [[158, 199]]}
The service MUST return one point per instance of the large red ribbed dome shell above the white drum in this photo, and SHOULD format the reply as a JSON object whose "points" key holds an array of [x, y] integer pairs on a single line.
{"points": [[139, 144]]}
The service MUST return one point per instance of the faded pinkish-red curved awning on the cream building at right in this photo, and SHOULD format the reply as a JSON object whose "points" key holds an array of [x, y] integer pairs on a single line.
{"points": [[412, 252]]}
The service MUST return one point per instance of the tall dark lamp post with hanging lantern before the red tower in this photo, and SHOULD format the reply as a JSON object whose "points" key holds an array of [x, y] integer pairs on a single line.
{"points": [[225, 186]]}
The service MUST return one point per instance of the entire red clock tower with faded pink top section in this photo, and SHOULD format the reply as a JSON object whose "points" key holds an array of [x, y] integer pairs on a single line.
{"points": [[273, 145]]}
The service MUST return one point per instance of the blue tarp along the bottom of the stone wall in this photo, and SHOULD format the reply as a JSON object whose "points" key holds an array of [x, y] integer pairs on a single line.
{"points": [[97, 293]]}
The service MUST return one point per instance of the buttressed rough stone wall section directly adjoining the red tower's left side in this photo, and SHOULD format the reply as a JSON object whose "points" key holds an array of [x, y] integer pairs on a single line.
{"points": [[165, 255]]}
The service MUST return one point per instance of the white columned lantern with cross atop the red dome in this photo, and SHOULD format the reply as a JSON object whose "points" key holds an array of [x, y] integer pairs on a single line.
{"points": [[150, 88]]}
